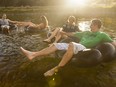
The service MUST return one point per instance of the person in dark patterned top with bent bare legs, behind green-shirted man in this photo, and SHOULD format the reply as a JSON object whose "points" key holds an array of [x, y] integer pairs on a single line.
{"points": [[70, 26]]}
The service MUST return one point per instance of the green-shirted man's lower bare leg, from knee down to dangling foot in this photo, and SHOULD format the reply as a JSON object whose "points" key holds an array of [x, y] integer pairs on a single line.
{"points": [[66, 58]]}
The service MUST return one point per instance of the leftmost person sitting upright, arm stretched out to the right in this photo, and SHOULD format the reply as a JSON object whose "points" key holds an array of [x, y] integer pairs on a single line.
{"points": [[5, 24]]}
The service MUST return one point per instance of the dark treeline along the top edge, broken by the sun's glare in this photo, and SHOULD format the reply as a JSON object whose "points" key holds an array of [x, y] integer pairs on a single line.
{"points": [[17, 3]]}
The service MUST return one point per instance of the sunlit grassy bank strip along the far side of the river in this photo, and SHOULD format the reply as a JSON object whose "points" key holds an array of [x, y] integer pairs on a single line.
{"points": [[100, 11]]}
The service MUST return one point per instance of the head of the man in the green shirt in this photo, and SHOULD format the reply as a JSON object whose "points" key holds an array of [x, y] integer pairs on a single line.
{"points": [[95, 25]]}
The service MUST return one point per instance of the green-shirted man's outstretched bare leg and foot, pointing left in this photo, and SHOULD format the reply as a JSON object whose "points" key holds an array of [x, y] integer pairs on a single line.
{"points": [[43, 52]]}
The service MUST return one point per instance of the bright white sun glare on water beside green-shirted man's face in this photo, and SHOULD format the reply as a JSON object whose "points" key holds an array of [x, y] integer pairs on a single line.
{"points": [[84, 25]]}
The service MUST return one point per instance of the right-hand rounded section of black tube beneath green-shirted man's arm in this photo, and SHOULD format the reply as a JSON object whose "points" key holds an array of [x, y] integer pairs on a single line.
{"points": [[107, 50]]}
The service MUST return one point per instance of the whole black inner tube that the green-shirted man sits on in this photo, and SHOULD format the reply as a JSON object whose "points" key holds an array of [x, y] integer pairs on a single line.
{"points": [[103, 53]]}
